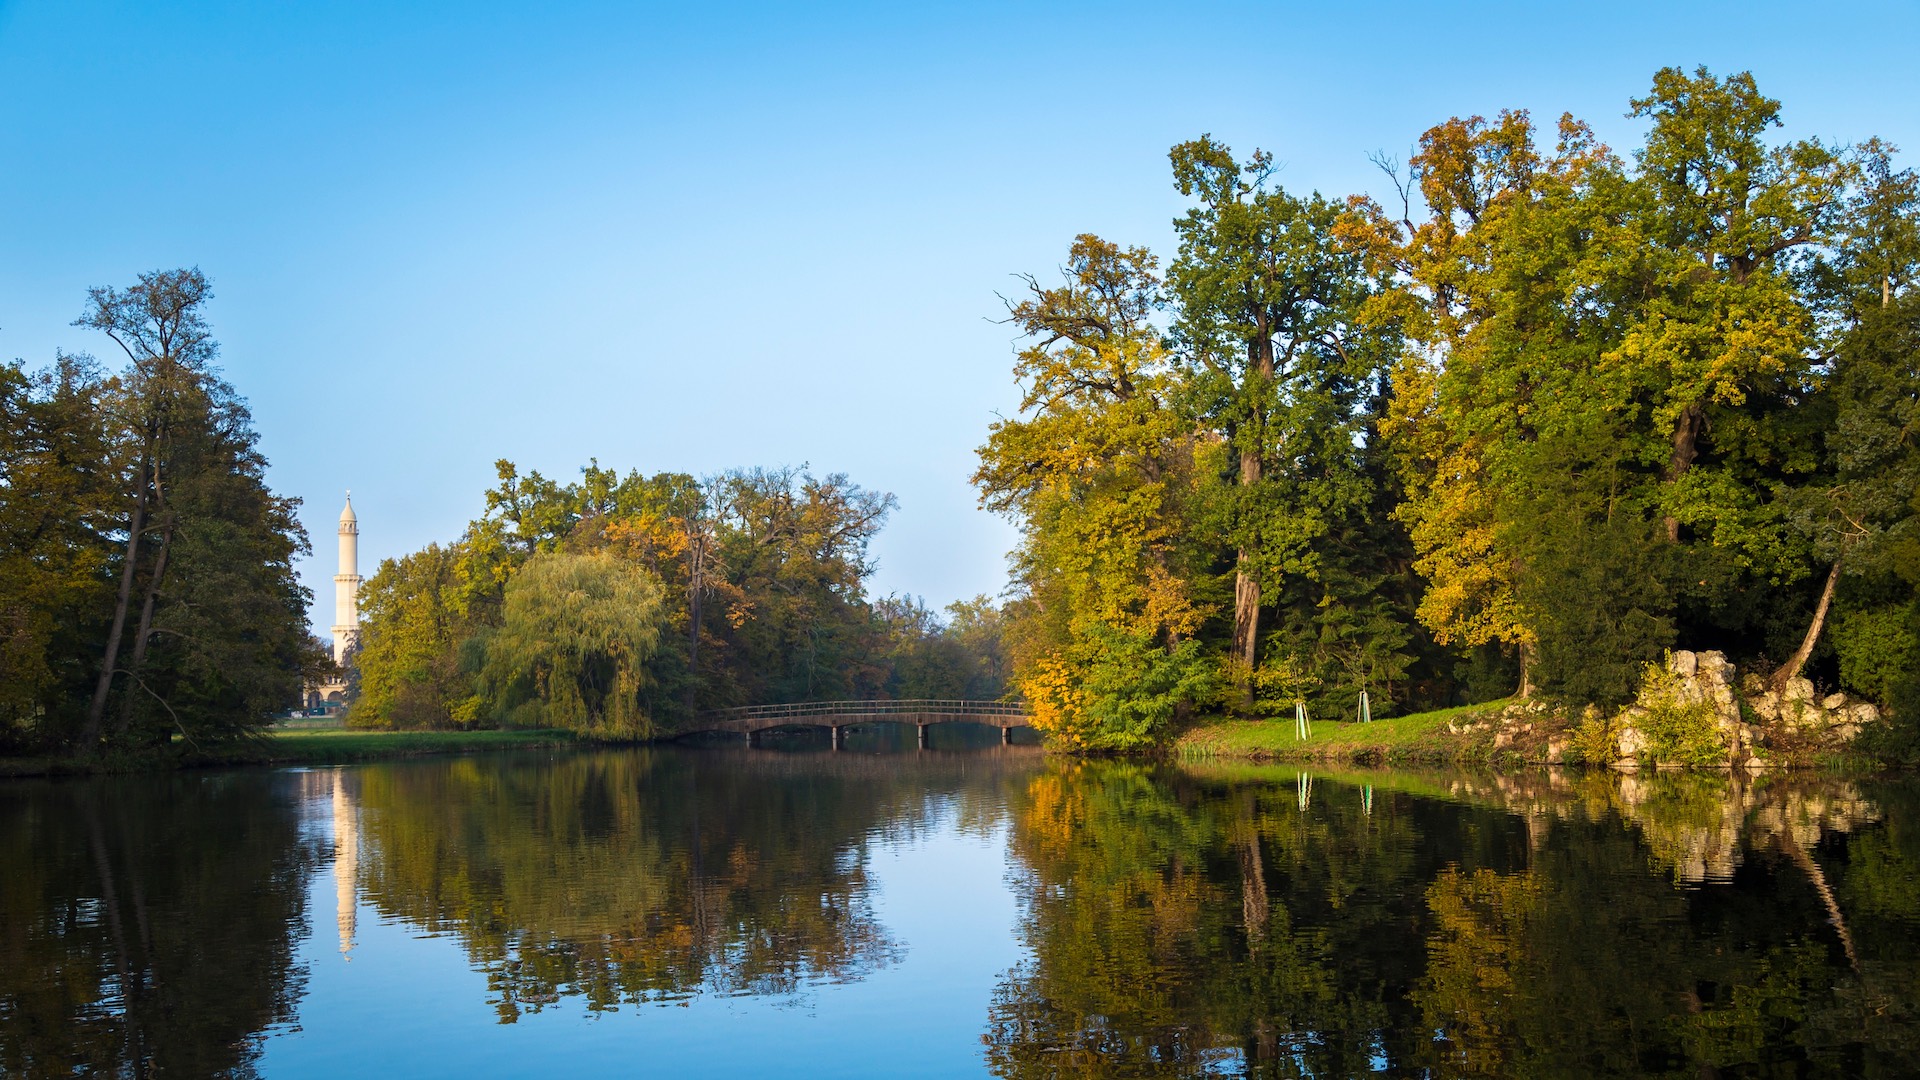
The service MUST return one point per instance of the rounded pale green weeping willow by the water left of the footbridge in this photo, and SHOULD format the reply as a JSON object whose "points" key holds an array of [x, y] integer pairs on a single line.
{"points": [[573, 645]]}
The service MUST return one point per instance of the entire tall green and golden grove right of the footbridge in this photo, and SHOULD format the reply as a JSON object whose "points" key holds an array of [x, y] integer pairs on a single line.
{"points": [[1525, 426]]}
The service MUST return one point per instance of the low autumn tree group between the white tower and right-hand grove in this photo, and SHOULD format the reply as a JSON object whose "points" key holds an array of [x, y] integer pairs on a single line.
{"points": [[623, 606]]}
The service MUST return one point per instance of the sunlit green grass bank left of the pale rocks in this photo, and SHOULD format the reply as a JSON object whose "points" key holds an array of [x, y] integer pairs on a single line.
{"points": [[1420, 737]]}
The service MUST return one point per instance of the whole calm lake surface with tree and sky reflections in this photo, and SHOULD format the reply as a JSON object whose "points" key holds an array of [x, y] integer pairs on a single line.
{"points": [[957, 912]]}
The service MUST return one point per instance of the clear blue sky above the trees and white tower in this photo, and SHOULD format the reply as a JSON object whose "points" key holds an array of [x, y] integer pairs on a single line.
{"points": [[698, 237]]}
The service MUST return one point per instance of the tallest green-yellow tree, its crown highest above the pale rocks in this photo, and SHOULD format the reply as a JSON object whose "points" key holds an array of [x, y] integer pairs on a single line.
{"points": [[1717, 216]]}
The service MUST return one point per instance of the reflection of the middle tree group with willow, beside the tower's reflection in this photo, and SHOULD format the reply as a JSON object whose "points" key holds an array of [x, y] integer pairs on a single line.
{"points": [[652, 875]]}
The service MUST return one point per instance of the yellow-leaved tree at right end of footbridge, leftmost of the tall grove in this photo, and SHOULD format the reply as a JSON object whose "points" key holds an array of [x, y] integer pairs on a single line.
{"points": [[1107, 479]]}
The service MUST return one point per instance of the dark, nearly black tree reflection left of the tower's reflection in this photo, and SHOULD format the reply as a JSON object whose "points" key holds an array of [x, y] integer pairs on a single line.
{"points": [[149, 923]]}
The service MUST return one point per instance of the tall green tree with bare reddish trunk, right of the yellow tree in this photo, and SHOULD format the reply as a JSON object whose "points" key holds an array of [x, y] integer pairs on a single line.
{"points": [[1268, 320]]}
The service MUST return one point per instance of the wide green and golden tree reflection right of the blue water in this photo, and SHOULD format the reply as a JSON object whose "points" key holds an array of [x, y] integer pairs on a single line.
{"points": [[1236, 921]]}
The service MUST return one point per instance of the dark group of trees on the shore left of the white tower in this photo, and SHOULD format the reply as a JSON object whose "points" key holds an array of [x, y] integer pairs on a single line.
{"points": [[147, 581]]}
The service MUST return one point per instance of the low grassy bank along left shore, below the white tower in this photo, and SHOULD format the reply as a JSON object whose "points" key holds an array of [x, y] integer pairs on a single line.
{"points": [[337, 747]]}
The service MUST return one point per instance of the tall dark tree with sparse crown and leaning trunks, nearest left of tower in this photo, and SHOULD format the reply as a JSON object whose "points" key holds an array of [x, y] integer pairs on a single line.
{"points": [[206, 631]]}
